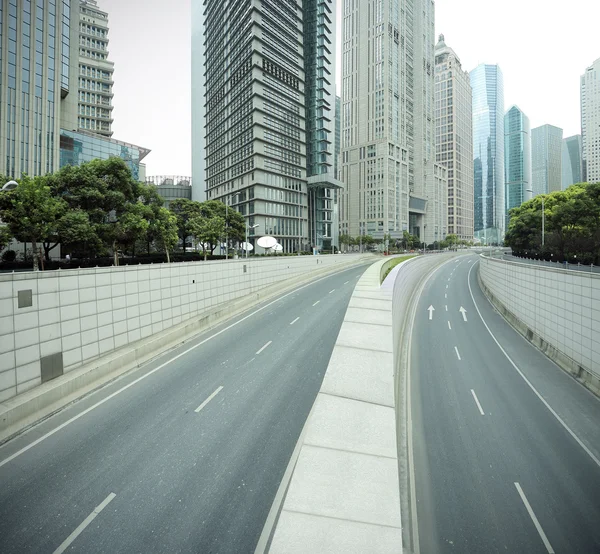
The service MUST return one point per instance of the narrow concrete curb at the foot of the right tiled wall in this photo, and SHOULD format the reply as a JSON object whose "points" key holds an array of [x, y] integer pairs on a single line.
{"points": [[566, 363]]}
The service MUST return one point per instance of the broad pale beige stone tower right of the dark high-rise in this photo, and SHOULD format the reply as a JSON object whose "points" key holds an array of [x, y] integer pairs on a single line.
{"points": [[388, 166]]}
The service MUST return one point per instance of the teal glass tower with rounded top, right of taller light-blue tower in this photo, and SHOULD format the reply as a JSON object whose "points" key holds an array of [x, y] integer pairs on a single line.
{"points": [[517, 159]]}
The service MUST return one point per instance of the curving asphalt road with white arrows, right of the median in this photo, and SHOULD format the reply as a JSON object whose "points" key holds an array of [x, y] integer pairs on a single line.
{"points": [[495, 469]]}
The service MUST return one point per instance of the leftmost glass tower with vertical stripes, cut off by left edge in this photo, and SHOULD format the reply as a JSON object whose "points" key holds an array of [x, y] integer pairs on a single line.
{"points": [[36, 83]]}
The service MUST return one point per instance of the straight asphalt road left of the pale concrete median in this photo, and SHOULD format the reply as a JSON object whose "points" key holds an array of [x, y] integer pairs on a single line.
{"points": [[187, 459]]}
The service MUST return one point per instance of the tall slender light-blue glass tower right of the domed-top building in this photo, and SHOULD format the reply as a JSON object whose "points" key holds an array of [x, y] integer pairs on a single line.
{"points": [[488, 153]]}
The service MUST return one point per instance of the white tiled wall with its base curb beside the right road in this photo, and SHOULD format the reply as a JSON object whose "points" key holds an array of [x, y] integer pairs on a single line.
{"points": [[557, 310]]}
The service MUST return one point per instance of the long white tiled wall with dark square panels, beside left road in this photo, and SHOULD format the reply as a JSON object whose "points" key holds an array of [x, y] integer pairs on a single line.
{"points": [[53, 322]]}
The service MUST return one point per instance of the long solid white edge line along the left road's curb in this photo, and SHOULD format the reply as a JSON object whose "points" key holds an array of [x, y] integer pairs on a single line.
{"points": [[161, 366]]}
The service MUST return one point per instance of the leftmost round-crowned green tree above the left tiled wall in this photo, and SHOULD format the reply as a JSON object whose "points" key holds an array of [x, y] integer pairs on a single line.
{"points": [[31, 212]]}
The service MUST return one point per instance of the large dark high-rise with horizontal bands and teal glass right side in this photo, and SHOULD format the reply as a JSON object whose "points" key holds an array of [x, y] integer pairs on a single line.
{"points": [[263, 115]]}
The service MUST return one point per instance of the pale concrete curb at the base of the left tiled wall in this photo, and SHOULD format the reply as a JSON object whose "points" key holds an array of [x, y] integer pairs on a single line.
{"points": [[22, 411]]}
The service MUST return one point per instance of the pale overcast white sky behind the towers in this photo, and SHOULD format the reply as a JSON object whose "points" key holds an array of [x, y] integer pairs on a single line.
{"points": [[542, 51]]}
